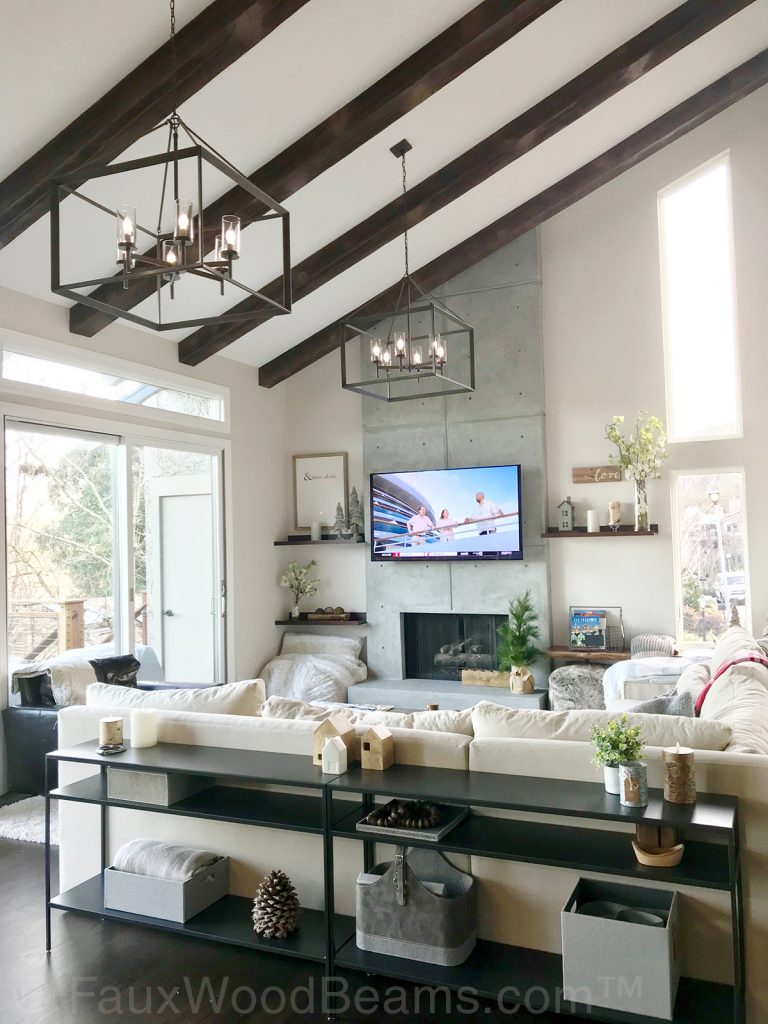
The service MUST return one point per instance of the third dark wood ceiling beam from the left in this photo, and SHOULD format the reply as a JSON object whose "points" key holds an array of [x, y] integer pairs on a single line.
{"points": [[625, 65]]}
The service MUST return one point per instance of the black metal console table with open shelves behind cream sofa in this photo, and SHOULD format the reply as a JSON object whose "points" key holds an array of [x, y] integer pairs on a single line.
{"points": [[710, 828]]}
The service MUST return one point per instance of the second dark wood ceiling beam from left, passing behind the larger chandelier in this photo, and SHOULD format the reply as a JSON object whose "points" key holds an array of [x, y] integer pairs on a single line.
{"points": [[471, 39]]}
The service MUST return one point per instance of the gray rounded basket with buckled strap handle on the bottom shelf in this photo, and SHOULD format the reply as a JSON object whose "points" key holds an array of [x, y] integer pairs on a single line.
{"points": [[399, 917]]}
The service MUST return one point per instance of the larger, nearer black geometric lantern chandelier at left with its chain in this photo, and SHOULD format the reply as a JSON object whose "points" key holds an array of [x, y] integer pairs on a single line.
{"points": [[183, 245]]}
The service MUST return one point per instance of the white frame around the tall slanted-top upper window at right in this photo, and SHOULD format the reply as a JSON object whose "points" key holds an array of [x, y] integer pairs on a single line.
{"points": [[724, 160]]}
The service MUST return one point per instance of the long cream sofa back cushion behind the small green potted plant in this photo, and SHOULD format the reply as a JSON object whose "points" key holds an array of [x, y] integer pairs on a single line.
{"points": [[492, 721]]}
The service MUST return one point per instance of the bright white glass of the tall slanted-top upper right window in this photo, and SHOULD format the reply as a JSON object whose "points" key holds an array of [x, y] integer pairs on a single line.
{"points": [[700, 306]]}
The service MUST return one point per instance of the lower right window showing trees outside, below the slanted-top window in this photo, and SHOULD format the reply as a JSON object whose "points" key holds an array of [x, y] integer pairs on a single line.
{"points": [[713, 582]]}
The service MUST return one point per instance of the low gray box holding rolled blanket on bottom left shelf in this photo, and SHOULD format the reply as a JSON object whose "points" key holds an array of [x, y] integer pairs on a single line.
{"points": [[169, 901]]}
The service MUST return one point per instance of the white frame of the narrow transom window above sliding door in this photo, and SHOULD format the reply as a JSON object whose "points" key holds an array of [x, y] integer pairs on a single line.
{"points": [[23, 345]]}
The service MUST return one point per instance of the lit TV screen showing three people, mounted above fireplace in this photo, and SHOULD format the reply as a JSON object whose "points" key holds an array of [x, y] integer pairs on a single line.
{"points": [[448, 515]]}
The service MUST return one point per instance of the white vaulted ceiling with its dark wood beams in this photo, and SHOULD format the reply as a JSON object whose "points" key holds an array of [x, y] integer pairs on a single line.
{"points": [[515, 110]]}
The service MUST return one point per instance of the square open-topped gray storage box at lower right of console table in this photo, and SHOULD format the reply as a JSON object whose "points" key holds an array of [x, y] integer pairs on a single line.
{"points": [[621, 965]]}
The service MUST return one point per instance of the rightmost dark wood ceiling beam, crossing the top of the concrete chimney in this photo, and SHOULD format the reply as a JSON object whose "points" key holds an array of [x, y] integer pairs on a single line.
{"points": [[660, 134]]}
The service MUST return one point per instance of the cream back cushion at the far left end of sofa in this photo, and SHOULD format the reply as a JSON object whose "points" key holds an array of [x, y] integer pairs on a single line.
{"points": [[245, 699]]}
